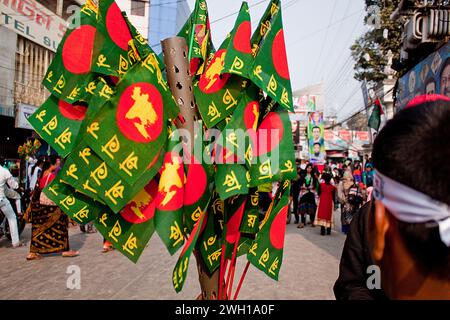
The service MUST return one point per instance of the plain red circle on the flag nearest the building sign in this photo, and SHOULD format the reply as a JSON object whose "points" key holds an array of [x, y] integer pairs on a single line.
{"points": [[77, 50]]}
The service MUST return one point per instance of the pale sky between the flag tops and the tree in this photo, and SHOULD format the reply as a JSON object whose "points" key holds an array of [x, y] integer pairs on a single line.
{"points": [[318, 36]]}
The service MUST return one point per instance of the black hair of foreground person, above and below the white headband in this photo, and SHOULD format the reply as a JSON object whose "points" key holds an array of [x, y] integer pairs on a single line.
{"points": [[401, 148]]}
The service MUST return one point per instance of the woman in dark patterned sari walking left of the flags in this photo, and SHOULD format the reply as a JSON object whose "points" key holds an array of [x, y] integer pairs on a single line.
{"points": [[49, 232]]}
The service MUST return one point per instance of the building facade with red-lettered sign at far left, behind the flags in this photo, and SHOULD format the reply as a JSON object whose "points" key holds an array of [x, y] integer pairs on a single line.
{"points": [[30, 32]]}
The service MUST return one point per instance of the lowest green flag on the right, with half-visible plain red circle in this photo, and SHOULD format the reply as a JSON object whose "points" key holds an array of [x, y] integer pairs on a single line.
{"points": [[266, 252]]}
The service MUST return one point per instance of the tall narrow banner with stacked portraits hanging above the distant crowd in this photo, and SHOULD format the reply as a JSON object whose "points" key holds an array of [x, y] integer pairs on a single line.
{"points": [[316, 138]]}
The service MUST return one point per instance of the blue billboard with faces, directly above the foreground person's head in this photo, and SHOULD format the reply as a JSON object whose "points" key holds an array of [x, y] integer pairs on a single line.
{"points": [[432, 75]]}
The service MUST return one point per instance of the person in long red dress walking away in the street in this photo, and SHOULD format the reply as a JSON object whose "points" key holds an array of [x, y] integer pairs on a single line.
{"points": [[325, 213]]}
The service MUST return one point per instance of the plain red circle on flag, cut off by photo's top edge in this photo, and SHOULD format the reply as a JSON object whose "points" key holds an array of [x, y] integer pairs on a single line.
{"points": [[117, 27]]}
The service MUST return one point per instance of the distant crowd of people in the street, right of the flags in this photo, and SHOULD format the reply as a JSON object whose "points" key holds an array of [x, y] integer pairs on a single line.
{"points": [[316, 194]]}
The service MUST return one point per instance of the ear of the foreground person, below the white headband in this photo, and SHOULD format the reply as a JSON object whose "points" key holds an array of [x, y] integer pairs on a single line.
{"points": [[381, 225]]}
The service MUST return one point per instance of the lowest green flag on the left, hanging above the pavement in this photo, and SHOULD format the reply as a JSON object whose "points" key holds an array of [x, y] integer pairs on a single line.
{"points": [[130, 231]]}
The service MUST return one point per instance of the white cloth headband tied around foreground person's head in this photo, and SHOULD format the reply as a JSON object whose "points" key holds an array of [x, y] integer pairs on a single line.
{"points": [[411, 206]]}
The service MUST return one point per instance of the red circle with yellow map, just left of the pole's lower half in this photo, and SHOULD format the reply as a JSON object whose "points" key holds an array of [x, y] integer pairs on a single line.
{"points": [[171, 183]]}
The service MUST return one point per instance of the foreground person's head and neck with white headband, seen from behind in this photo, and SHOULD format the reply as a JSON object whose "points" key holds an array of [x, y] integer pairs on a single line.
{"points": [[412, 255]]}
